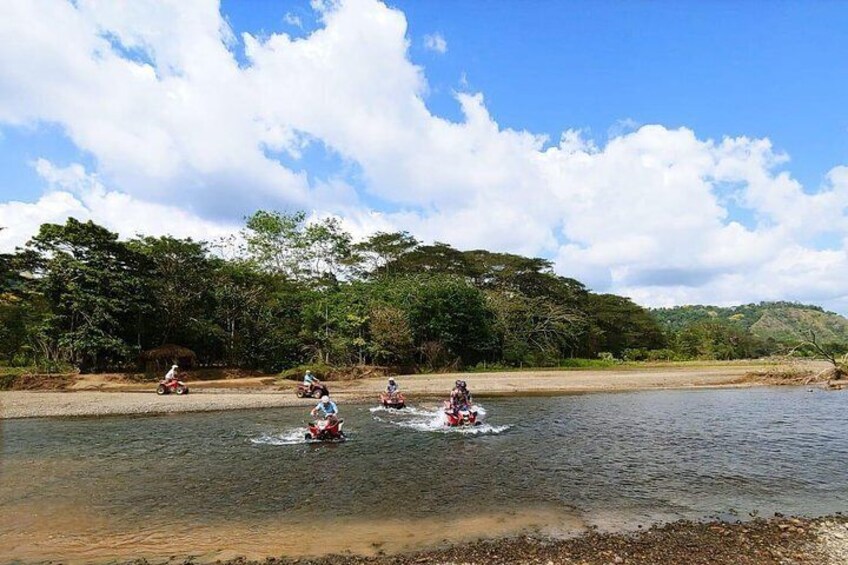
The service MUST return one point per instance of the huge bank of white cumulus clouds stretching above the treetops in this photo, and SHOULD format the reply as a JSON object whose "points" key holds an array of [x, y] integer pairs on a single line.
{"points": [[187, 139]]}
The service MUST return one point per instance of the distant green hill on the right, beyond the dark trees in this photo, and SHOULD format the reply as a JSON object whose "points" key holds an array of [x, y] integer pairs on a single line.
{"points": [[781, 321]]}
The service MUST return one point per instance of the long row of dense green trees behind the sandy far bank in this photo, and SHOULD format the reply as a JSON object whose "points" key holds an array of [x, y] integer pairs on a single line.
{"points": [[288, 292]]}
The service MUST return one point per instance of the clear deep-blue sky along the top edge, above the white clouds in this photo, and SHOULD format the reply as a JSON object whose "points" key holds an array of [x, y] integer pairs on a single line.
{"points": [[760, 69]]}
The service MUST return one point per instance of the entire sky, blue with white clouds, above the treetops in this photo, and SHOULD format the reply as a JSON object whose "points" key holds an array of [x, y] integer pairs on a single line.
{"points": [[675, 153]]}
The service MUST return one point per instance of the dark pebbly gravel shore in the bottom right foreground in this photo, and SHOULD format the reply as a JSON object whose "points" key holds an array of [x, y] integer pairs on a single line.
{"points": [[779, 541]]}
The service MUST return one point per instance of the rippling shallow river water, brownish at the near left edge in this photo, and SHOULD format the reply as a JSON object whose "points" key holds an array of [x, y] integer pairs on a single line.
{"points": [[87, 489]]}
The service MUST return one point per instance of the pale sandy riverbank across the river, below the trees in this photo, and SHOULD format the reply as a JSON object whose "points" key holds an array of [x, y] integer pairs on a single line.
{"points": [[91, 396]]}
